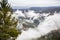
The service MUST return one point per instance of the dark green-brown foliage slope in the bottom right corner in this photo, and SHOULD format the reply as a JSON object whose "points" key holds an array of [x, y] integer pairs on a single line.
{"points": [[54, 35]]}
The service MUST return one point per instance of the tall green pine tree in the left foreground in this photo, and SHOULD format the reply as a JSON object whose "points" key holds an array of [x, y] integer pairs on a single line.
{"points": [[7, 23]]}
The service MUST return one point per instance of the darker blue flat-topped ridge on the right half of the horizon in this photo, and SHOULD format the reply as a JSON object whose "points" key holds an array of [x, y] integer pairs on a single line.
{"points": [[45, 9]]}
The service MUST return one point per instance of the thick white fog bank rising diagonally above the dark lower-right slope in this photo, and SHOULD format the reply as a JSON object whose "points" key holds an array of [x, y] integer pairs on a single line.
{"points": [[50, 23]]}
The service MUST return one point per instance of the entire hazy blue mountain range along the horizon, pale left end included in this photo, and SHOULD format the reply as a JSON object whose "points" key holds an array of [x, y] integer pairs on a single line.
{"points": [[50, 9]]}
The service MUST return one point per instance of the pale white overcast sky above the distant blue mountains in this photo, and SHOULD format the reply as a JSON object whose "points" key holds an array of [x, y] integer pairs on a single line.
{"points": [[34, 2]]}
